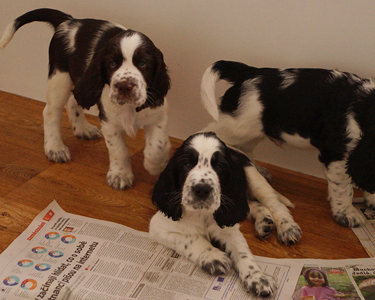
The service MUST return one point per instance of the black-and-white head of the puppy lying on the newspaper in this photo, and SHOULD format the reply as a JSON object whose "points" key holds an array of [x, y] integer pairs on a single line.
{"points": [[204, 175]]}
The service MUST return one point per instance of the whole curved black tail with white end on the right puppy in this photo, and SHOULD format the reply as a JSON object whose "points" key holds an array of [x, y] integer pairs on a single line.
{"points": [[233, 72]]}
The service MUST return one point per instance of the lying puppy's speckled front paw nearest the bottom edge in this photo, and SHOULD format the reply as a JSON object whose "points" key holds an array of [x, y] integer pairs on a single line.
{"points": [[260, 284]]}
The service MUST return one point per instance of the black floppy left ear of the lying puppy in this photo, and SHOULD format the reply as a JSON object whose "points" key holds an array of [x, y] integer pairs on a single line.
{"points": [[167, 192]]}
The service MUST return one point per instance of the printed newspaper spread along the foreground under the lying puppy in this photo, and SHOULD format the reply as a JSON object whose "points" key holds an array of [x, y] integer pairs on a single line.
{"points": [[65, 256]]}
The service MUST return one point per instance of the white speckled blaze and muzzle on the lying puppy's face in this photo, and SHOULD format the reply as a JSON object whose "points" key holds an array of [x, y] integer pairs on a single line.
{"points": [[202, 186]]}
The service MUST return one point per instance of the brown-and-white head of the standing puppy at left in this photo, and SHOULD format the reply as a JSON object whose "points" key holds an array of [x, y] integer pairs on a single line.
{"points": [[133, 68]]}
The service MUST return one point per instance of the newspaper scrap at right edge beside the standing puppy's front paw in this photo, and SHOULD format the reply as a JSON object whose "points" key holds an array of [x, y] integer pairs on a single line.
{"points": [[366, 233]]}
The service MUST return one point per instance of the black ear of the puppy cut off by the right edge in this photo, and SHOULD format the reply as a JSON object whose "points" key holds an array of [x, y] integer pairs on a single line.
{"points": [[361, 162]]}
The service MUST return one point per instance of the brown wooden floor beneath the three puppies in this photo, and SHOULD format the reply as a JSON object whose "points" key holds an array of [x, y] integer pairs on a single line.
{"points": [[29, 182]]}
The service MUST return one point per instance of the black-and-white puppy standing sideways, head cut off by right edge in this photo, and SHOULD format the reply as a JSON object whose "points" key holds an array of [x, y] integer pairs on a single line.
{"points": [[330, 110]]}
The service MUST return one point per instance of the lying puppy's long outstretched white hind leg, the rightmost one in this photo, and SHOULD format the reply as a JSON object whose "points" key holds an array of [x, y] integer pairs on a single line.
{"points": [[288, 231]]}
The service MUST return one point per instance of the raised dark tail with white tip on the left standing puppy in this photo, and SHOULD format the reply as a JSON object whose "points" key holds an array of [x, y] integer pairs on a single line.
{"points": [[51, 16]]}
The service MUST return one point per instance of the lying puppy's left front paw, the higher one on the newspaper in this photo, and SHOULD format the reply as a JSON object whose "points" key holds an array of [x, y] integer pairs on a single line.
{"points": [[215, 262]]}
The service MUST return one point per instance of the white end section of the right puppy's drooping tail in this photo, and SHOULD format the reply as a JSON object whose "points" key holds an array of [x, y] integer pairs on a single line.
{"points": [[208, 83]]}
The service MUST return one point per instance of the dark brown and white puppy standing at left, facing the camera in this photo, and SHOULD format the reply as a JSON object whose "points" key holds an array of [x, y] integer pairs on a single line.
{"points": [[119, 70]]}
